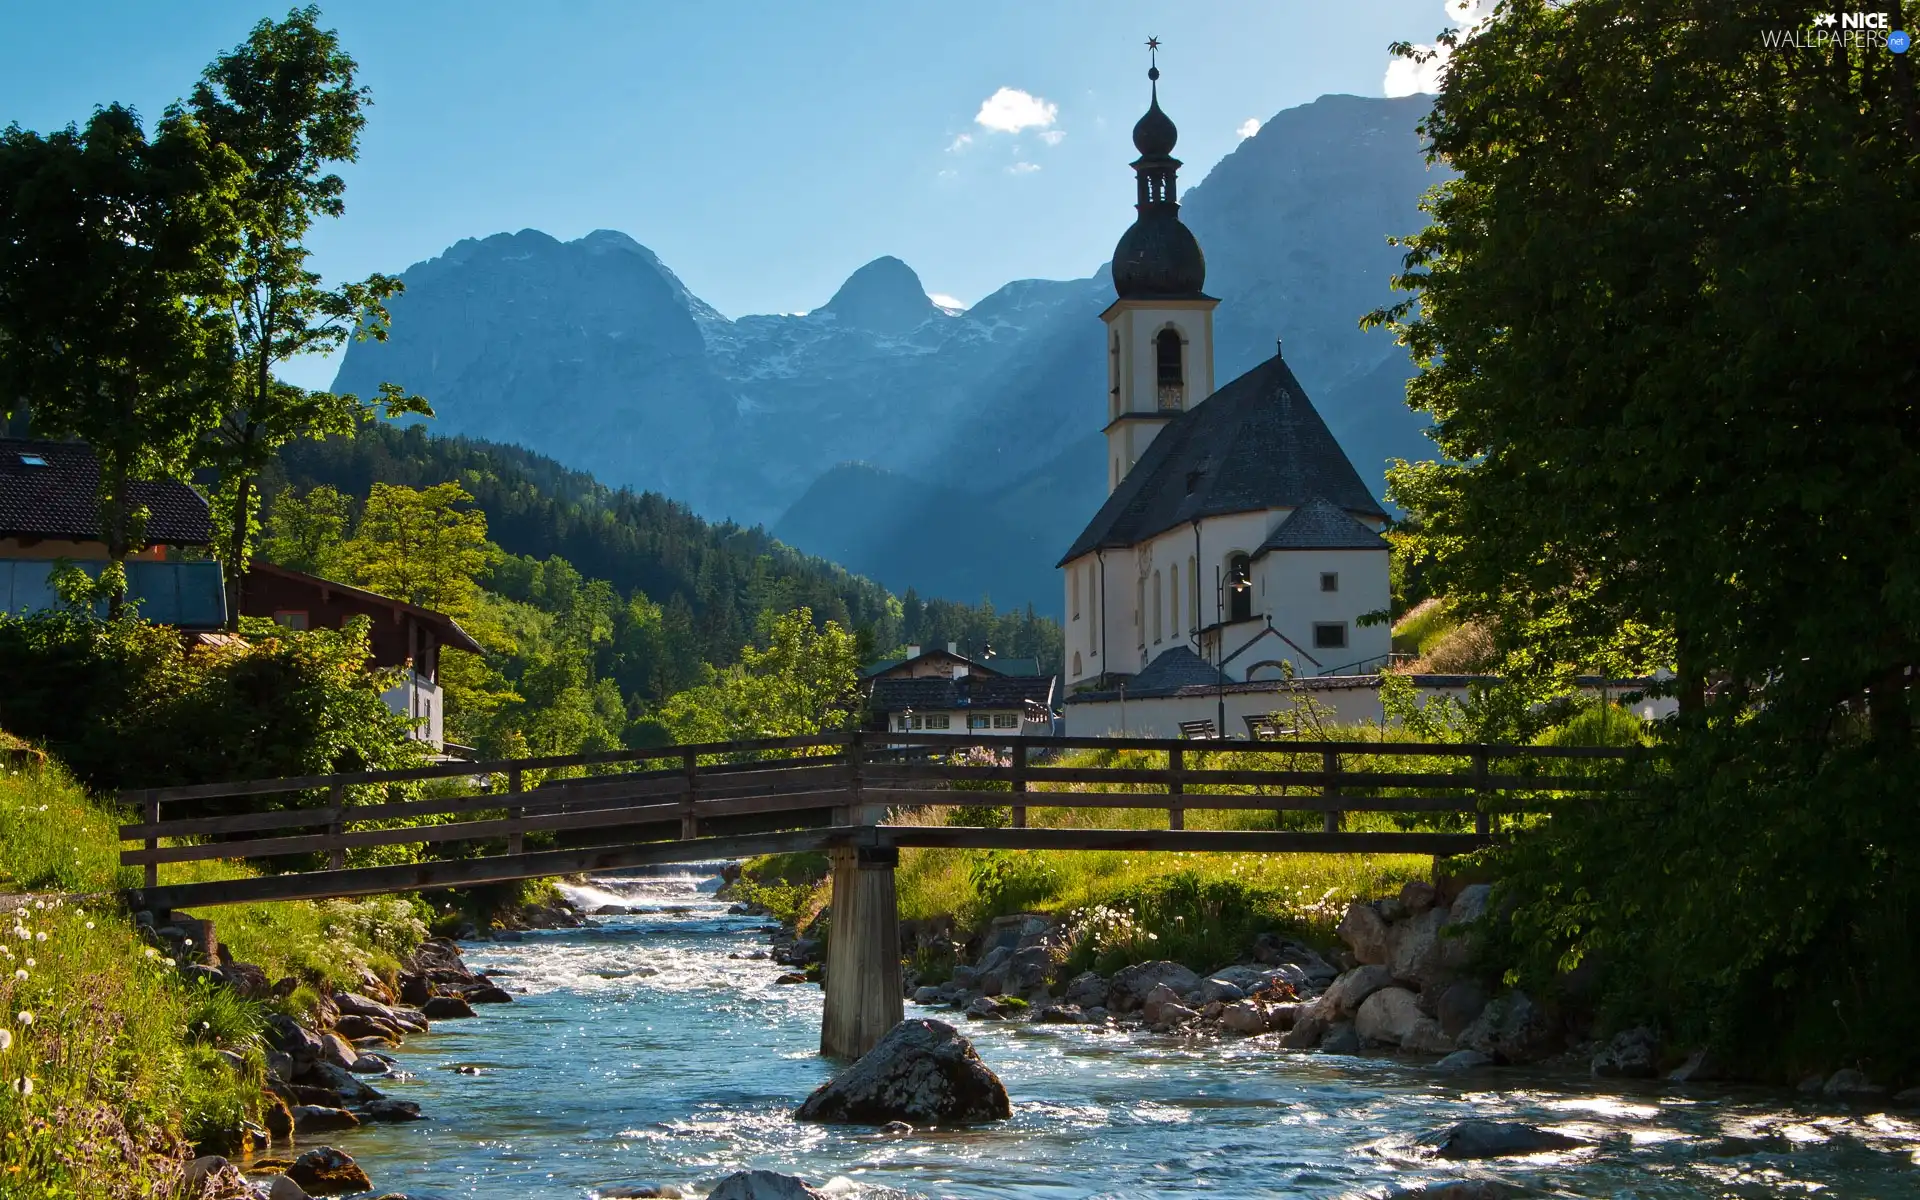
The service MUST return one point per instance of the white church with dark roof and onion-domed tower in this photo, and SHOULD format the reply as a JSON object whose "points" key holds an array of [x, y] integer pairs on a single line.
{"points": [[1237, 546]]}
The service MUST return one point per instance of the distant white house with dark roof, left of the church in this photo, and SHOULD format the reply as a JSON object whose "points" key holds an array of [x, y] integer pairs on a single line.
{"points": [[948, 692]]}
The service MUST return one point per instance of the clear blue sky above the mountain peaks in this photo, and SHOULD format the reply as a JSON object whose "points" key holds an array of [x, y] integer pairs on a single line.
{"points": [[765, 151]]}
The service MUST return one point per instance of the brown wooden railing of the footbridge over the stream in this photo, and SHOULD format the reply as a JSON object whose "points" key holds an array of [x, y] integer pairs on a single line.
{"points": [[855, 780]]}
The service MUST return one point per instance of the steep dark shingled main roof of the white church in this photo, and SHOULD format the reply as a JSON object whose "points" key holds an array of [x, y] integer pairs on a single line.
{"points": [[1255, 444]]}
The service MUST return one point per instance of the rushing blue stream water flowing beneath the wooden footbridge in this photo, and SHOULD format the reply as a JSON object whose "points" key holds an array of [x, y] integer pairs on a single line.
{"points": [[650, 1049]]}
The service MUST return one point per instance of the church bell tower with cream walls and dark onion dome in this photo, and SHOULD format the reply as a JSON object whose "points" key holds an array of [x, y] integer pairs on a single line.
{"points": [[1161, 329]]}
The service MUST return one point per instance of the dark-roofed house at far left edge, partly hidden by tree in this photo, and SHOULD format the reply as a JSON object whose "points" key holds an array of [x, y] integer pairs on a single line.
{"points": [[51, 510]]}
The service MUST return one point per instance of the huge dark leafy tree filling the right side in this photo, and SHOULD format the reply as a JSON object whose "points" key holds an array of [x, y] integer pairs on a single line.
{"points": [[1664, 337]]}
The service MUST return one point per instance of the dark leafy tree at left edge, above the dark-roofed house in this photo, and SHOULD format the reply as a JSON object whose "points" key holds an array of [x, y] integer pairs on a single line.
{"points": [[114, 318]]}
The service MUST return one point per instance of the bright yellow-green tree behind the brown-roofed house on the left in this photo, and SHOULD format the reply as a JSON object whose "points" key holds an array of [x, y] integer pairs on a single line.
{"points": [[421, 548]]}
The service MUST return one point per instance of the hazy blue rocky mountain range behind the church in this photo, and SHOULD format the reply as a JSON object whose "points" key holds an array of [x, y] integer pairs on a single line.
{"points": [[955, 452]]}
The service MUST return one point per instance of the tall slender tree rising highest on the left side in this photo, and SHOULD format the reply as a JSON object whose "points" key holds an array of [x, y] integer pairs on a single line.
{"points": [[287, 105]]}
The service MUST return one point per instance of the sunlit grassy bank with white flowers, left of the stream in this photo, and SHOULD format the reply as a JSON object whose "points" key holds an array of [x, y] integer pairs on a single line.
{"points": [[110, 1059]]}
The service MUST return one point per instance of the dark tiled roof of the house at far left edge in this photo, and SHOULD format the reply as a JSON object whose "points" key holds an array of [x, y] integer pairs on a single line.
{"points": [[53, 491]]}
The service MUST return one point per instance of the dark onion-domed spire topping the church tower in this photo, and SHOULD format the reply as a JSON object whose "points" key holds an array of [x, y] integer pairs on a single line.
{"points": [[1159, 256]]}
